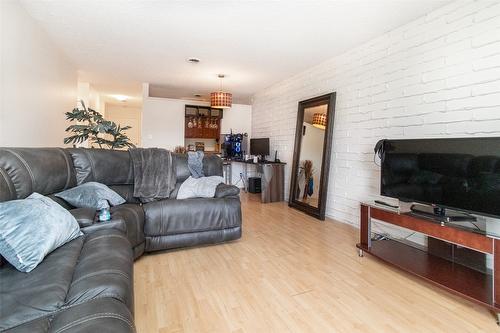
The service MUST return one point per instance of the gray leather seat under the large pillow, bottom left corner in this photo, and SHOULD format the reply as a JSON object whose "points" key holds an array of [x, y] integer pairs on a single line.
{"points": [[24, 297]]}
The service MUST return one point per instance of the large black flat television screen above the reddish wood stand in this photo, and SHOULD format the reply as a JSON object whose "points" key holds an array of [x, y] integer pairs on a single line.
{"points": [[461, 174]]}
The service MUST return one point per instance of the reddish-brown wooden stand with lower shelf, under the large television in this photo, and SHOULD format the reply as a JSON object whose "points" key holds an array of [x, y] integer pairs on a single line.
{"points": [[478, 287]]}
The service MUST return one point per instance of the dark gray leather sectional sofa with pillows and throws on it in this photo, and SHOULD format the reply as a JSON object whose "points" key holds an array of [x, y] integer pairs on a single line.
{"points": [[87, 284]]}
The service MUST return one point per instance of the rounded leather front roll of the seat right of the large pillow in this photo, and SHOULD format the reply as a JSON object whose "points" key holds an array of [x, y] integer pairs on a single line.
{"points": [[104, 269]]}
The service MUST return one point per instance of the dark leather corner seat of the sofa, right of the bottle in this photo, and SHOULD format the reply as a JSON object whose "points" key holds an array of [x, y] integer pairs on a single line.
{"points": [[133, 215]]}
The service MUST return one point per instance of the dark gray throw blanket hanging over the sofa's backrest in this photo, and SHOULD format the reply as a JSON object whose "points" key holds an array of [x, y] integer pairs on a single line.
{"points": [[154, 173]]}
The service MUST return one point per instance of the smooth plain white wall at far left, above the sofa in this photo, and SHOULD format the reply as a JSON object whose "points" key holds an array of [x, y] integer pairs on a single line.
{"points": [[38, 83]]}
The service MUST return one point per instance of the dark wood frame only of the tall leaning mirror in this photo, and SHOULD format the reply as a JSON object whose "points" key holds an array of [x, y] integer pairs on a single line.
{"points": [[318, 212]]}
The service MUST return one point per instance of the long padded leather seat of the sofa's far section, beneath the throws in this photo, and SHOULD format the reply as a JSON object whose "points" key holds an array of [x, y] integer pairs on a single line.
{"points": [[168, 217]]}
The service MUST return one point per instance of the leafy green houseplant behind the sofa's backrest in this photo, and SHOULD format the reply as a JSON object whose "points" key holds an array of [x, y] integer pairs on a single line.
{"points": [[92, 126]]}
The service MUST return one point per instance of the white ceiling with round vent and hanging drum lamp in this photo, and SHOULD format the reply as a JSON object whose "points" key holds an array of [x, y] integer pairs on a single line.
{"points": [[116, 44]]}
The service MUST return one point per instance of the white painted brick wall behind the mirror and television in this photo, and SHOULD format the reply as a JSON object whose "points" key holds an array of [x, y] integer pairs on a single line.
{"points": [[437, 76]]}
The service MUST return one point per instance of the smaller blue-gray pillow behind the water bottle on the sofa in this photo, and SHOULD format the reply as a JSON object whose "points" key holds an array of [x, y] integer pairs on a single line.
{"points": [[91, 195]]}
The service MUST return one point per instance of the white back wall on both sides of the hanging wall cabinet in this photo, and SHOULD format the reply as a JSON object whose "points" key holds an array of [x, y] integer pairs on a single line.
{"points": [[163, 120]]}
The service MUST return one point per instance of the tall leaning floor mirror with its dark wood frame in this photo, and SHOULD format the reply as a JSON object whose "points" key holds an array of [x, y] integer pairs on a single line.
{"points": [[311, 158]]}
